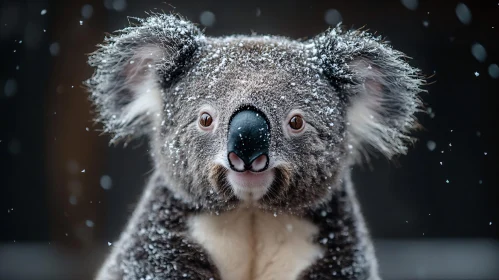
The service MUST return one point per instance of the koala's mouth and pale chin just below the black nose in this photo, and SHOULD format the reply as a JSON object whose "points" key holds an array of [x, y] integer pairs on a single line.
{"points": [[251, 186]]}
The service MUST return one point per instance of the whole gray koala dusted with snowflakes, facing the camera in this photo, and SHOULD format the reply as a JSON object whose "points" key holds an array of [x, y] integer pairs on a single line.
{"points": [[252, 141]]}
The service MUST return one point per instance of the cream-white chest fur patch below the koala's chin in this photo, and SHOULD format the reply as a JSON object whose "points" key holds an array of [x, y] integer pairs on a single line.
{"points": [[248, 244]]}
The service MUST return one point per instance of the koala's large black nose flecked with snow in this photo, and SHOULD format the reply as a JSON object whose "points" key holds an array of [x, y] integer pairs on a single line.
{"points": [[248, 141]]}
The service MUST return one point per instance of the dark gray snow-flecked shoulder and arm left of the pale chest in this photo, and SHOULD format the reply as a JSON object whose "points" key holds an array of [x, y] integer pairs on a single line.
{"points": [[154, 245]]}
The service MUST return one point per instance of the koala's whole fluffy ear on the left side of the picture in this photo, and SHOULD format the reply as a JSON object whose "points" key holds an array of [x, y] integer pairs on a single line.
{"points": [[131, 68]]}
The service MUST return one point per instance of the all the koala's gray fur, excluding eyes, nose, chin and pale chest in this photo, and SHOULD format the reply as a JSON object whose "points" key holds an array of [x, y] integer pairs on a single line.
{"points": [[324, 78]]}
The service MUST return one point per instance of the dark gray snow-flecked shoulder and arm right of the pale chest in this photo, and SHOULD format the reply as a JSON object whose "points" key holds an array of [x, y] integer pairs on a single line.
{"points": [[349, 251]]}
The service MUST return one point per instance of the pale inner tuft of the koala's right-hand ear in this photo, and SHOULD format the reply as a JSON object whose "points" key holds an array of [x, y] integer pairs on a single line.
{"points": [[379, 114]]}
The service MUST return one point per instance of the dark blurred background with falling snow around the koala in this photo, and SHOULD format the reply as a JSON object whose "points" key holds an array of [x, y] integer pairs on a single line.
{"points": [[65, 195]]}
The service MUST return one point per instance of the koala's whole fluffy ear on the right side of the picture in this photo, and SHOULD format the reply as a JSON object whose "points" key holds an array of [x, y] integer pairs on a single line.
{"points": [[381, 88]]}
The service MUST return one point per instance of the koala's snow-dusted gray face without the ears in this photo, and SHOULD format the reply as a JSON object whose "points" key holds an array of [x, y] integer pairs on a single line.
{"points": [[253, 121]]}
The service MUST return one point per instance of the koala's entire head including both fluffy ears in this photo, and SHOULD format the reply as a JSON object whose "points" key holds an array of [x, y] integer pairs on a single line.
{"points": [[253, 119]]}
